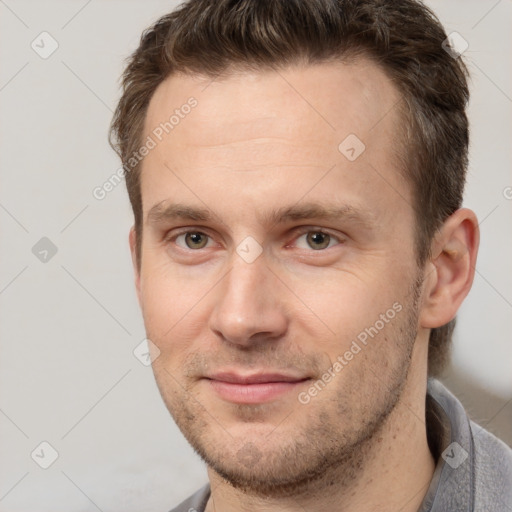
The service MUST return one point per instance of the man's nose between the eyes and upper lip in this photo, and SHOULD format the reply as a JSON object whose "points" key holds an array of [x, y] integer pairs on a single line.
{"points": [[249, 305]]}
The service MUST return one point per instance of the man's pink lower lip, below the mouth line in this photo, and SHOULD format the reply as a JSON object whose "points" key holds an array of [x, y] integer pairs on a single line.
{"points": [[252, 393]]}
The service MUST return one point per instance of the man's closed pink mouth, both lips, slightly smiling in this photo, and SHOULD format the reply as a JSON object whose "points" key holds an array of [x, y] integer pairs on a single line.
{"points": [[255, 388]]}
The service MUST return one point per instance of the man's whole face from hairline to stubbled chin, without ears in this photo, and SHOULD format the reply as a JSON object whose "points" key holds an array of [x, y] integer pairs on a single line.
{"points": [[268, 287]]}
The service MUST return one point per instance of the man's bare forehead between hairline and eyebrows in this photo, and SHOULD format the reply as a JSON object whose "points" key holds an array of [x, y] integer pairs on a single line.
{"points": [[251, 130]]}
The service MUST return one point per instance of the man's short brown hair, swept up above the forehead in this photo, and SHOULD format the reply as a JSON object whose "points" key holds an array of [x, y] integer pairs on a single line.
{"points": [[211, 37]]}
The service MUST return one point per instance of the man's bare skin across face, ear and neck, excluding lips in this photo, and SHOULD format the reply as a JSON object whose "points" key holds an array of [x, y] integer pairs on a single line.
{"points": [[257, 142]]}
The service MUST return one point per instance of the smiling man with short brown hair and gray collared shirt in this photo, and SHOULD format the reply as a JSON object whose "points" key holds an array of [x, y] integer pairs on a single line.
{"points": [[296, 170]]}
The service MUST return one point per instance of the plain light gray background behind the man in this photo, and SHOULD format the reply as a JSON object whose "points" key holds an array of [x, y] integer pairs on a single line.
{"points": [[68, 326]]}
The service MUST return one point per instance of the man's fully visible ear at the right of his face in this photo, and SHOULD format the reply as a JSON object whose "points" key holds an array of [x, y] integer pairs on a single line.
{"points": [[450, 271]]}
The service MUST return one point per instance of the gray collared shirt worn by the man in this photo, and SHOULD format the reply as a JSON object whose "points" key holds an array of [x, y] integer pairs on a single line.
{"points": [[473, 470]]}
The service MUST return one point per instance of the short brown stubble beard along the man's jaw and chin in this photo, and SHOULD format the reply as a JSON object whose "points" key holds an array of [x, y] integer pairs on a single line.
{"points": [[320, 454]]}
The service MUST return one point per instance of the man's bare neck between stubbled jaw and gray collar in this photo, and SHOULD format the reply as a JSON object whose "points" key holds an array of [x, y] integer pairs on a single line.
{"points": [[392, 472]]}
